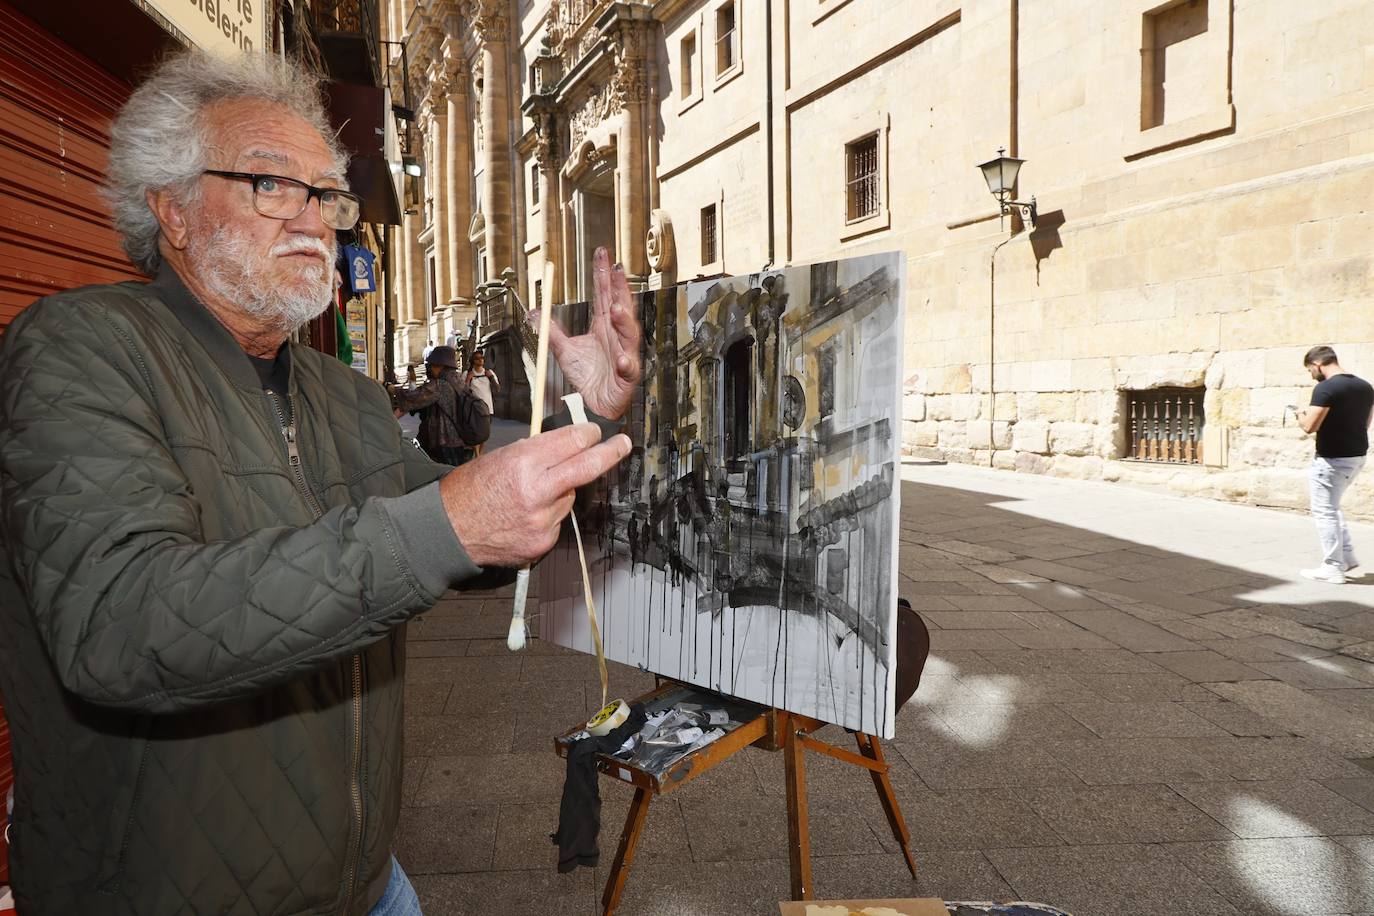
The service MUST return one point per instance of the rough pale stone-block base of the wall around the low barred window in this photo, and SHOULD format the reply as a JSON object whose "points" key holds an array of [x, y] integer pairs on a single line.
{"points": [[1082, 433]]}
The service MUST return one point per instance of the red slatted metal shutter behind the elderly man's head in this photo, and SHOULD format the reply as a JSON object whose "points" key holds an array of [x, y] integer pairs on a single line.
{"points": [[56, 112]]}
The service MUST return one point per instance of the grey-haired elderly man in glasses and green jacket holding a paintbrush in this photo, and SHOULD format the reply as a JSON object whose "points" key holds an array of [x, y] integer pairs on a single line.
{"points": [[212, 538]]}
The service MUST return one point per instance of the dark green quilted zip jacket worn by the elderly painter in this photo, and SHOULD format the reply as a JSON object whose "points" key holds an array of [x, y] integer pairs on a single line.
{"points": [[201, 652]]}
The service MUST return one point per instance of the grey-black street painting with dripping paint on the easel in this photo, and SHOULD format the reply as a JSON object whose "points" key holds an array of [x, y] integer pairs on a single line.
{"points": [[750, 542]]}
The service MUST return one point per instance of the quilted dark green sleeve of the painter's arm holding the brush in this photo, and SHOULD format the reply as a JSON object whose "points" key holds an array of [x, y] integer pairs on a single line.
{"points": [[102, 531]]}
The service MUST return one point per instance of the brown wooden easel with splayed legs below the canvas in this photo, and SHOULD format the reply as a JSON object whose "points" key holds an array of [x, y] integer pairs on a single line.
{"points": [[772, 730]]}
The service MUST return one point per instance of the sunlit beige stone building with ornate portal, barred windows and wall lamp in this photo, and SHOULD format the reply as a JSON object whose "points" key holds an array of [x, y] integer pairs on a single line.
{"points": [[1203, 172]]}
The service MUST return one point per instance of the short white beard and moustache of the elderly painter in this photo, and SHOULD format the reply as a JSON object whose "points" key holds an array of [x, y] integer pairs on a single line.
{"points": [[225, 260]]}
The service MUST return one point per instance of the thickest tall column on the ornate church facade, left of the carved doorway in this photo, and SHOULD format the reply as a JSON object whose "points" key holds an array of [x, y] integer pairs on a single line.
{"points": [[493, 27]]}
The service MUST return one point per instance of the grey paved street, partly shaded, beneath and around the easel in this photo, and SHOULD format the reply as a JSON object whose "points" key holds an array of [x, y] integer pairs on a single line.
{"points": [[1133, 707]]}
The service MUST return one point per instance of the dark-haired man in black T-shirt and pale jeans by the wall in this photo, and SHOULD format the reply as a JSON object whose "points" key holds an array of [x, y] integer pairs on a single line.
{"points": [[1342, 411]]}
